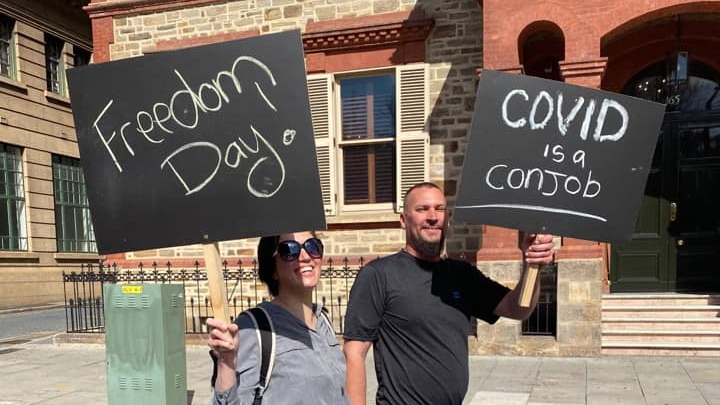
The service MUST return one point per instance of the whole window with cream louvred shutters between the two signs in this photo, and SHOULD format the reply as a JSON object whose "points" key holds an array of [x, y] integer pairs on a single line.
{"points": [[370, 136]]}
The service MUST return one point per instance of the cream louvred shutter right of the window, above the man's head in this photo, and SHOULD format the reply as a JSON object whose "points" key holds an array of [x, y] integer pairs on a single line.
{"points": [[413, 140]]}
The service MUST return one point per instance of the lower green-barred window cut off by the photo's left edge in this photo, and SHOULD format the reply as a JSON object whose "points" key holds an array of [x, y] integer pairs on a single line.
{"points": [[13, 226]]}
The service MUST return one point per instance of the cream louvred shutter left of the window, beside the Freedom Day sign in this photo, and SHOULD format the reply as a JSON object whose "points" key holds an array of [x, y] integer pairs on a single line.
{"points": [[320, 93]]}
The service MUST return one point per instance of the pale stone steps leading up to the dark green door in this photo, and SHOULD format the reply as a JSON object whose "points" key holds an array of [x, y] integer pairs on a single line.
{"points": [[661, 324]]}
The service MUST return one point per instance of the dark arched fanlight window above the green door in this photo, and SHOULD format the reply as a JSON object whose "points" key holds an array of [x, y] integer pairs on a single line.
{"points": [[699, 90]]}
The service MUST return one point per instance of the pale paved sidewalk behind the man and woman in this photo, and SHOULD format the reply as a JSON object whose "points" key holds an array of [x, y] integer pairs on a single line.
{"points": [[40, 372]]}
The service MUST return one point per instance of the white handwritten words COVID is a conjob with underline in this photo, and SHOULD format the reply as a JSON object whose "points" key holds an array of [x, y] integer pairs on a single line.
{"points": [[587, 119]]}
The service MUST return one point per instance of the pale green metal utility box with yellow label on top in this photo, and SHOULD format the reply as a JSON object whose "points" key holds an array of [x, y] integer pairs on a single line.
{"points": [[145, 344]]}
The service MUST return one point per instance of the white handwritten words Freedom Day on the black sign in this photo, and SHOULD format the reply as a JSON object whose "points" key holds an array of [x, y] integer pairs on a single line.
{"points": [[183, 111]]}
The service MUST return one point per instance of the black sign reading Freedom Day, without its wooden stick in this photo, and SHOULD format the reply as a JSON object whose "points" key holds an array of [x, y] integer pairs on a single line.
{"points": [[198, 145]]}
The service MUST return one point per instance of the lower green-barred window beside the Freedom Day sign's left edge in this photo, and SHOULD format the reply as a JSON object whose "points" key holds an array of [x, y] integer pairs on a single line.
{"points": [[74, 230]]}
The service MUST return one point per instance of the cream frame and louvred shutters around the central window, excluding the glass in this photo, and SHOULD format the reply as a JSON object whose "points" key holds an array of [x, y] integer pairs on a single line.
{"points": [[412, 139]]}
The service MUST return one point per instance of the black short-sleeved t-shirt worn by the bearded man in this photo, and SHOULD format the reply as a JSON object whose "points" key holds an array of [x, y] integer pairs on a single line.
{"points": [[417, 314]]}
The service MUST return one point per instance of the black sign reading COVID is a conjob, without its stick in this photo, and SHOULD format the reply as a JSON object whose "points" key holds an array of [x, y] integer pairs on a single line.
{"points": [[550, 157]]}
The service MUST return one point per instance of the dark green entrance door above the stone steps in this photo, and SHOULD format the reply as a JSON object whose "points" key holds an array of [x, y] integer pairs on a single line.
{"points": [[676, 242]]}
